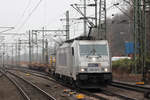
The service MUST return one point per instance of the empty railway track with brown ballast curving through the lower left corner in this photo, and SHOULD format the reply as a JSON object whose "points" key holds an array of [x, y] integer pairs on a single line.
{"points": [[28, 90]]}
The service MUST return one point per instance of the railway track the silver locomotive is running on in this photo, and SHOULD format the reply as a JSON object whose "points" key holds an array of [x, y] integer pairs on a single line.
{"points": [[95, 95]]}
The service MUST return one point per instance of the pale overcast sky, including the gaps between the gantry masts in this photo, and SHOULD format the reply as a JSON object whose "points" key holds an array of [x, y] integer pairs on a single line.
{"points": [[26, 15]]}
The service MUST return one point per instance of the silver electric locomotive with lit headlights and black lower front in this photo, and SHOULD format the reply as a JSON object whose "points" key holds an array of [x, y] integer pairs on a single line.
{"points": [[84, 62]]}
